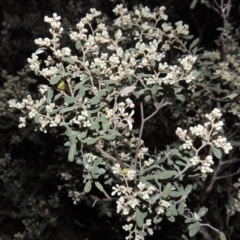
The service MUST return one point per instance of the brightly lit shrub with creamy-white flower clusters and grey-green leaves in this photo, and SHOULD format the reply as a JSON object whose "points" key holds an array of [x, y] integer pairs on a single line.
{"points": [[120, 82]]}
